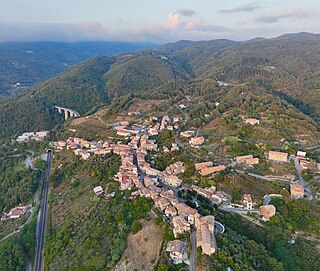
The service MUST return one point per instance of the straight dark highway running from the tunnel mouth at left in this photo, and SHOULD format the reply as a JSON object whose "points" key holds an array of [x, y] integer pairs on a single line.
{"points": [[41, 224]]}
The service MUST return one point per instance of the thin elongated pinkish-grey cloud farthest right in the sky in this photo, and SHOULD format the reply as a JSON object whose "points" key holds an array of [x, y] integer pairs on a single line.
{"points": [[275, 17]]}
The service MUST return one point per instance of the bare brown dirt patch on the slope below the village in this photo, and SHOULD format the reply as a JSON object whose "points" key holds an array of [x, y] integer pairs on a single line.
{"points": [[143, 249]]}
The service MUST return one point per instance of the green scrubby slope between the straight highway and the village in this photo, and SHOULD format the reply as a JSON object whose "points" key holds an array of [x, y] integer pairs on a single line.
{"points": [[85, 231]]}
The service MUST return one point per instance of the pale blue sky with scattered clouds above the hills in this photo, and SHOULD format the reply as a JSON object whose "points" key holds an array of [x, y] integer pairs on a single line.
{"points": [[158, 21]]}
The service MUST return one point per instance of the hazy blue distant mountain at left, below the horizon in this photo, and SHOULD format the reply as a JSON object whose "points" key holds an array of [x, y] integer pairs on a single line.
{"points": [[24, 64]]}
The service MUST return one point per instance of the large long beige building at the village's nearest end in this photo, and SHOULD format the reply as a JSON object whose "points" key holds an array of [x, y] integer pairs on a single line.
{"points": [[205, 234]]}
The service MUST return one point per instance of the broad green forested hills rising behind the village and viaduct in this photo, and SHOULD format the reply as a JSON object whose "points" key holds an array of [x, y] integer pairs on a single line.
{"points": [[287, 67]]}
